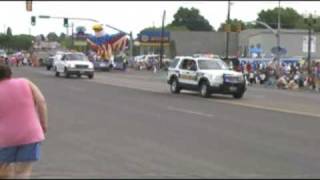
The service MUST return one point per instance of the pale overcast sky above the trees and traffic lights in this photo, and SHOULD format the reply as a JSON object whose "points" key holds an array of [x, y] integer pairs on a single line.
{"points": [[129, 16]]}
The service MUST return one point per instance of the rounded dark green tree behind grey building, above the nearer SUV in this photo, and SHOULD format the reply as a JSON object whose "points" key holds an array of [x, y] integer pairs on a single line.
{"points": [[191, 19]]}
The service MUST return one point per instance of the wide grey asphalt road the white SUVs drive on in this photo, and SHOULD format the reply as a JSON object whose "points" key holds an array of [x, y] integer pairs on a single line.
{"points": [[130, 126]]}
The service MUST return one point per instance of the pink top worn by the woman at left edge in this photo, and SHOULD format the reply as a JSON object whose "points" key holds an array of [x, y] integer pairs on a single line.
{"points": [[19, 122]]}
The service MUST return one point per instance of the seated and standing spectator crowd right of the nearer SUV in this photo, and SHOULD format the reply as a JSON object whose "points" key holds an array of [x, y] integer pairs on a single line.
{"points": [[288, 76]]}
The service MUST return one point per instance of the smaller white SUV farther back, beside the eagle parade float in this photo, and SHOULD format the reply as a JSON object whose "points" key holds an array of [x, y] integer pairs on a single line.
{"points": [[73, 63]]}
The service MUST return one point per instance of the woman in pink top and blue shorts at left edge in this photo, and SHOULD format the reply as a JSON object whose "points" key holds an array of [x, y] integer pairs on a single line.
{"points": [[23, 123]]}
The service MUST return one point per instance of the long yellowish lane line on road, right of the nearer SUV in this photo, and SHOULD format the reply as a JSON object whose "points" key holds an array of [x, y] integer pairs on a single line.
{"points": [[268, 108]]}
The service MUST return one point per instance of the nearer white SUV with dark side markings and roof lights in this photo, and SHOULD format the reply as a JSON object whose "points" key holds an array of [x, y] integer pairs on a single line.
{"points": [[206, 75]]}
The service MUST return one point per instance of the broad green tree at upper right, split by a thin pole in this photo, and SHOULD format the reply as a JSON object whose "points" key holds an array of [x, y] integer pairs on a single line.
{"points": [[289, 17]]}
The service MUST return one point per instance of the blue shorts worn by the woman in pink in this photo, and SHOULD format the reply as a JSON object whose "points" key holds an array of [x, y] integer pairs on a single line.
{"points": [[21, 153]]}
